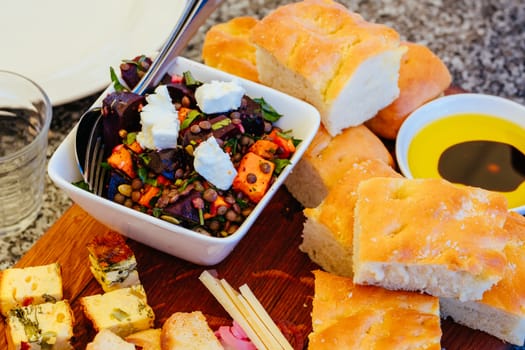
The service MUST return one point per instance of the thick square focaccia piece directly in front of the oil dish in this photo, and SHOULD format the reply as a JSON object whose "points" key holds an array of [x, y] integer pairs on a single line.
{"points": [[429, 235]]}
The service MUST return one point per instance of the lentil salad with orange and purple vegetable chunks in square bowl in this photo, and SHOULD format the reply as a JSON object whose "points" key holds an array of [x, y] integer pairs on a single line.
{"points": [[164, 182]]}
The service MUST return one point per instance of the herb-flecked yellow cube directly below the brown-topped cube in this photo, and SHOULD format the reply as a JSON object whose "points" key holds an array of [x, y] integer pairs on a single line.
{"points": [[123, 311]]}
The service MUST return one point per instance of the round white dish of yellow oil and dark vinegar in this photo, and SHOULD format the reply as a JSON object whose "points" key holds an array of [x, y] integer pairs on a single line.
{"points": [[458, 134]]}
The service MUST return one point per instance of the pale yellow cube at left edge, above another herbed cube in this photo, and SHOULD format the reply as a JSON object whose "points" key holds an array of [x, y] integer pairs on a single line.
{"points": [[30, 286]]}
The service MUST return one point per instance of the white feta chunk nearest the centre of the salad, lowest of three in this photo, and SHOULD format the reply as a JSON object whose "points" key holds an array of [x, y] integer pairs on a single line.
{"points": [[215, 165]]}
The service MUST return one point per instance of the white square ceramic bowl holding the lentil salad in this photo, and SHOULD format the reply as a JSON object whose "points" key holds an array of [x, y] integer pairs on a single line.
{"points": [[298, 116]]}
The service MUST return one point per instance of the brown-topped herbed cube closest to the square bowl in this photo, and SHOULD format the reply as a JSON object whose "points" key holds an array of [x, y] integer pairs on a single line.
{"points": [[113, 263]]}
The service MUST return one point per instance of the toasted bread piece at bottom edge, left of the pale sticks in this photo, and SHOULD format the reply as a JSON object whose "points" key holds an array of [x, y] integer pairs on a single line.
{"points": [[183, 330]]}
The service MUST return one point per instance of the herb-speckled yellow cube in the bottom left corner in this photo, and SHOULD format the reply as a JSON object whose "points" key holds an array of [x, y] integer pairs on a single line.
{"points": [[44, 326]]}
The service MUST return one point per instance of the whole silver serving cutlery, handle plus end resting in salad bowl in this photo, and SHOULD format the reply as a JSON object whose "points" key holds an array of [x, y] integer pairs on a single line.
{"points": [[89, 128]]}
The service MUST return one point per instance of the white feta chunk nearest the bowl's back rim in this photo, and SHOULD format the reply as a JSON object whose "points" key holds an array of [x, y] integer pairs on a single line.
{"points": [[219, 96]]}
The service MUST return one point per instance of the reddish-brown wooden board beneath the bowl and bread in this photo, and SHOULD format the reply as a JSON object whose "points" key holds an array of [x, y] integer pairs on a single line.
{"points": [[267, 259]]}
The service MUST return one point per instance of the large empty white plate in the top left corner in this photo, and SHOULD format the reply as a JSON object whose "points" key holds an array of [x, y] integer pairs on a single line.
{"points": [[67, 46]]}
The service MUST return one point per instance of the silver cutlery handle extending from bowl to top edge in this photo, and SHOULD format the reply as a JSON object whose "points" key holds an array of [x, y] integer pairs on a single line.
{"points": [[194, 14]]}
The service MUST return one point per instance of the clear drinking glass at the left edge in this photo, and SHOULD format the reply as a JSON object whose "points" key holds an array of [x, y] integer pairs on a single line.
{"points": [[25, 116]]}
